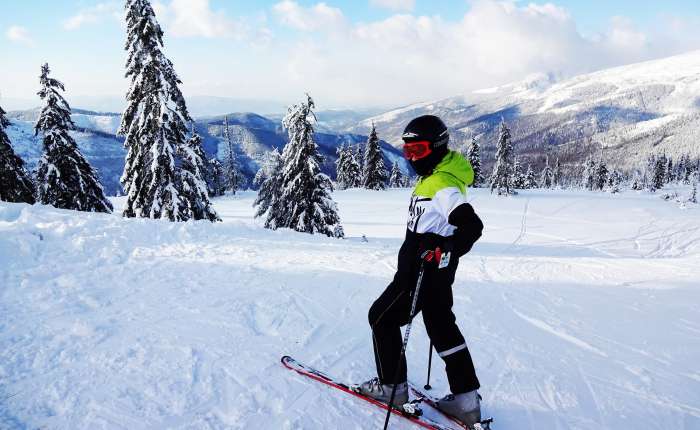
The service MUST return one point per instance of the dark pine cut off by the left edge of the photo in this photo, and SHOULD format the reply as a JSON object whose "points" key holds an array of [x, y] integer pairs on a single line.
{"points": [[16, 184]]}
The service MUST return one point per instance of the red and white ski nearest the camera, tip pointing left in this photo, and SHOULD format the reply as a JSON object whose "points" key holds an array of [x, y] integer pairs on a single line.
{"points": [[415, 417]]}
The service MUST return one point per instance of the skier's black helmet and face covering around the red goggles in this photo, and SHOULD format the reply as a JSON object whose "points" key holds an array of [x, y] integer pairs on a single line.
{"points": [[427, 128]]}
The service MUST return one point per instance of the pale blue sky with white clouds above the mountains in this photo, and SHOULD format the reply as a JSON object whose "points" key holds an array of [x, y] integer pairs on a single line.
{"points": [[351, 53]]}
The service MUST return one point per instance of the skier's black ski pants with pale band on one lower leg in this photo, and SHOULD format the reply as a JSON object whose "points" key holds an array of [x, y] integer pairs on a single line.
{"points": [[391, 311]]}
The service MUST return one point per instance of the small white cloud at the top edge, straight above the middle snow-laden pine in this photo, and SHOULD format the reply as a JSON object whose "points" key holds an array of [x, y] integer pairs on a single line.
{"points": [[318, 17]]}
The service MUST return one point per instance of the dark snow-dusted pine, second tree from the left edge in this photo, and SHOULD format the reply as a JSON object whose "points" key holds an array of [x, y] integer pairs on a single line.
{"points": [[65, 179]]}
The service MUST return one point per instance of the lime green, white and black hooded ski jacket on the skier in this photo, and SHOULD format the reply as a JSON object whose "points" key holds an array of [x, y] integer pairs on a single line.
{"points": [[439, 214]]}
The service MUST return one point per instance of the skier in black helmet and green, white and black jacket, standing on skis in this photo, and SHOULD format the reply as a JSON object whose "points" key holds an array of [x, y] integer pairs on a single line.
{"points": [[442, 227]]}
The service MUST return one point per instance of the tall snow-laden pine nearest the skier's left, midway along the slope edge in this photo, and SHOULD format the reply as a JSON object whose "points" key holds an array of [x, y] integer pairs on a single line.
{"points": [[306, 199]]}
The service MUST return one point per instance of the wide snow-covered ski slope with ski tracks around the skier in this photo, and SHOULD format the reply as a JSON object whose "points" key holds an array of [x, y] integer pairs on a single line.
{"points": [[582, 311]]}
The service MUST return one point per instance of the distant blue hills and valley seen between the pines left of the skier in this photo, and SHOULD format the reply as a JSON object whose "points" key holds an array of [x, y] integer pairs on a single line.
{"points": [[253, 136]]}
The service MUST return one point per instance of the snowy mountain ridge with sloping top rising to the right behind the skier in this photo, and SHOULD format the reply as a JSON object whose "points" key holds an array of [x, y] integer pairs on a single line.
{"points": [[629, 112]]}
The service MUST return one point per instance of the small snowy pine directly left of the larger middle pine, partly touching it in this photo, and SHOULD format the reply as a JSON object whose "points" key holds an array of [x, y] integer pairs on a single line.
{"points": [[268, 200]]}
